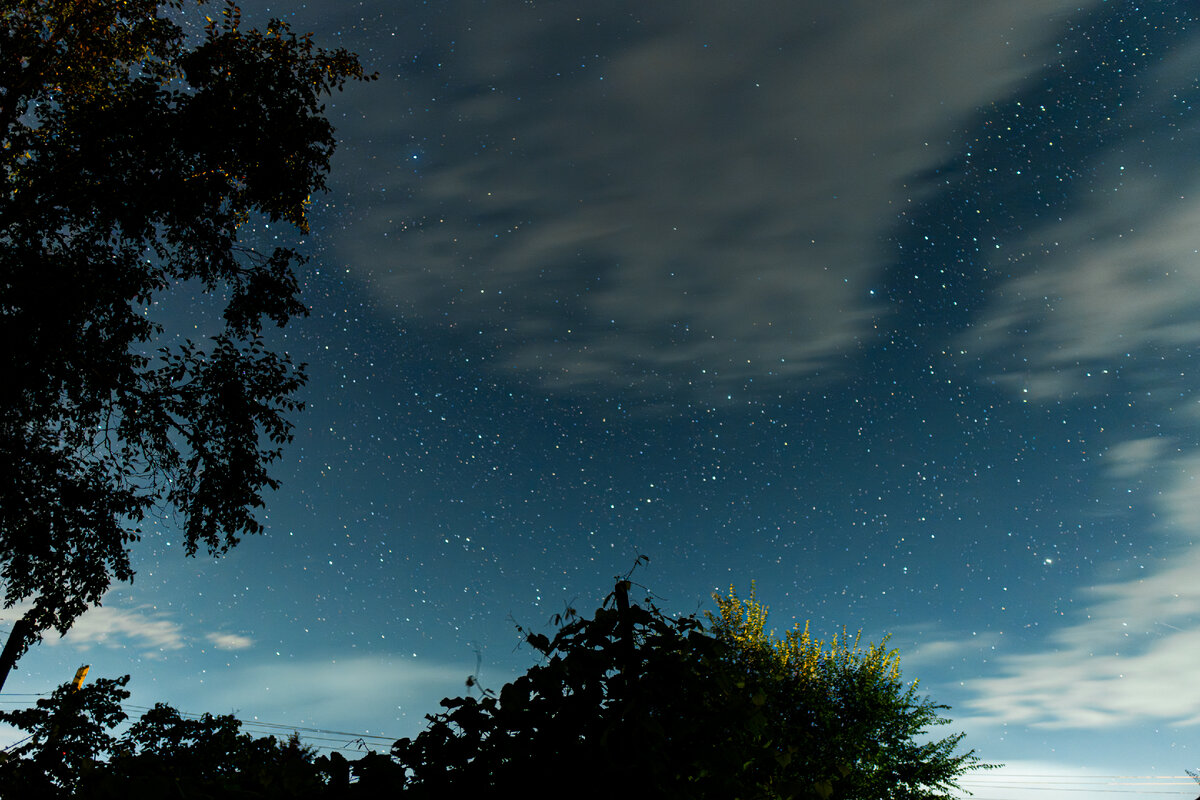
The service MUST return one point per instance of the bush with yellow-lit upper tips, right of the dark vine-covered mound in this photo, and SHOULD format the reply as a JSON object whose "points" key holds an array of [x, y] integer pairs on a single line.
{"points": [[851, 721]]}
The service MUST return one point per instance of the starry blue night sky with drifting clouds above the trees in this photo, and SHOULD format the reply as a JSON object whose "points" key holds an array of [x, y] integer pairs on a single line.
{"points": [[887, 308]]}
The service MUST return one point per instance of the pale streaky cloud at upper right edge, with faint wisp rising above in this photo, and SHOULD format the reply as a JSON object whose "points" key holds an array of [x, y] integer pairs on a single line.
{"points": [[1108, 290]]}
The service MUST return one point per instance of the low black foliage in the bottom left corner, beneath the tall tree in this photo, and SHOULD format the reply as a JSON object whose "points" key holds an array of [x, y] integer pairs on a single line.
{"points": [[71, 755]]}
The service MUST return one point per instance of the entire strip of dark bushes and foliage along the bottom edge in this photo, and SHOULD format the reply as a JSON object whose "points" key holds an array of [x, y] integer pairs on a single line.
{"points": [[628, 703]]}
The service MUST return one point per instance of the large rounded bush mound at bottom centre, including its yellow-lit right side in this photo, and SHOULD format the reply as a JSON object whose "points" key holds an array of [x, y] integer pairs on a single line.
{"points": [[632, 703]]}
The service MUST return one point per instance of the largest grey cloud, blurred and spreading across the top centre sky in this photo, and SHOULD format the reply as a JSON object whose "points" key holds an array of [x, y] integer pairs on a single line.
{"points": [[701, 207]]}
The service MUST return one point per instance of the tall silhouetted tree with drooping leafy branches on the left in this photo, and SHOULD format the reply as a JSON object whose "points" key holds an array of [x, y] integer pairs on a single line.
{"points": [[133, 163]]}
